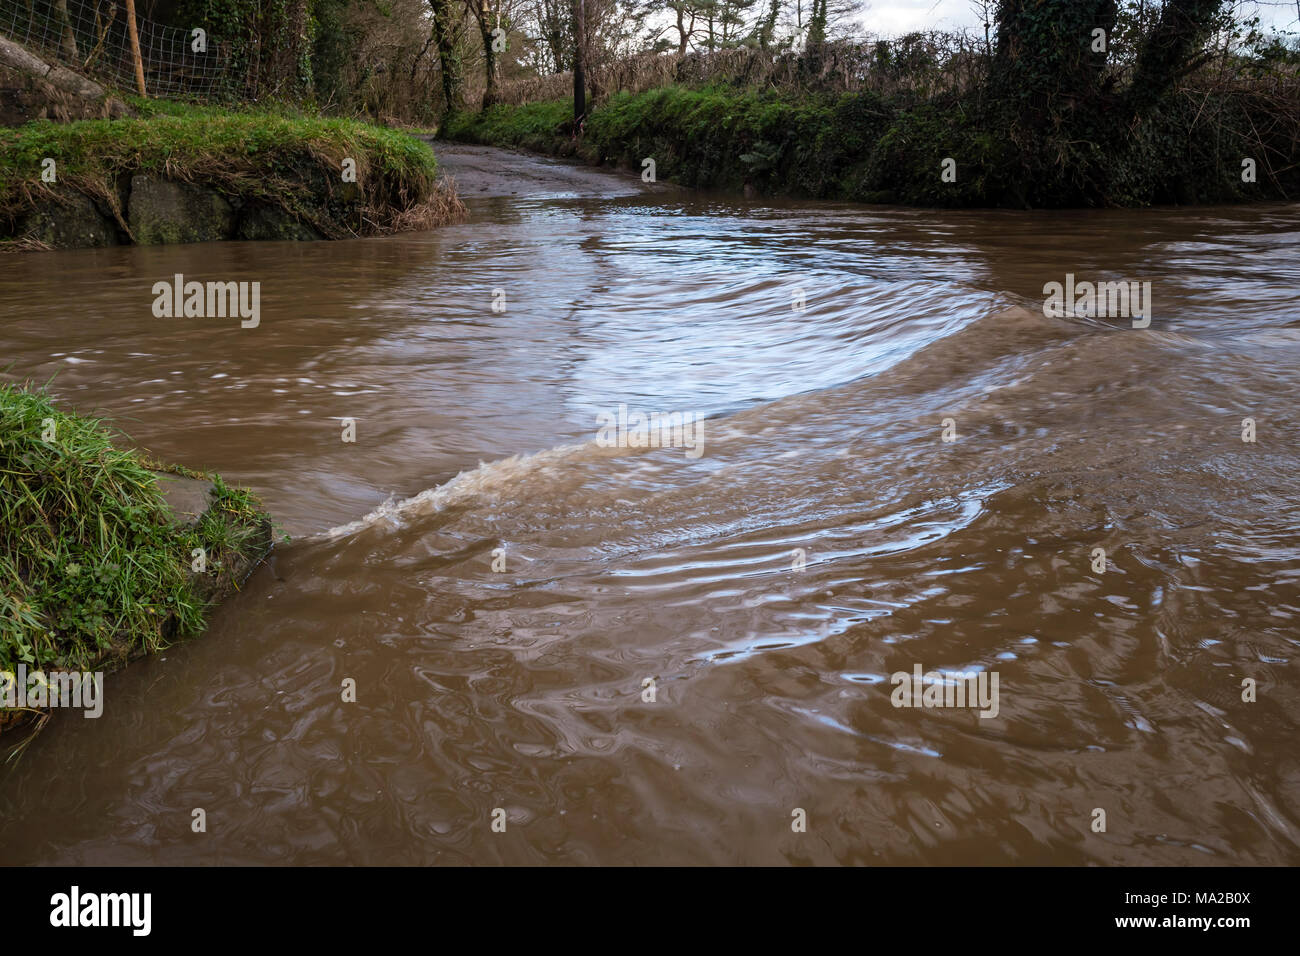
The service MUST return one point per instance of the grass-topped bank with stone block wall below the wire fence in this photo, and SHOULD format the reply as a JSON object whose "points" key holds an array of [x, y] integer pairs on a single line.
{"points": [[279, 171]]}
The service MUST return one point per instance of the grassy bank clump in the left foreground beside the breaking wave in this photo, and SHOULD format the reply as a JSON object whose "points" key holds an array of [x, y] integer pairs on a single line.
{"points": [[96, 566]]}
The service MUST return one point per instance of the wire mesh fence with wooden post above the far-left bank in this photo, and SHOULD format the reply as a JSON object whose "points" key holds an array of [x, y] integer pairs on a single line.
{"points": [[93, 38]]}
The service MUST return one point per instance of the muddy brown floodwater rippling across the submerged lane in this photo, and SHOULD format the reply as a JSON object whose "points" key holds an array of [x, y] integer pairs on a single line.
{"points": [[502, 587]]}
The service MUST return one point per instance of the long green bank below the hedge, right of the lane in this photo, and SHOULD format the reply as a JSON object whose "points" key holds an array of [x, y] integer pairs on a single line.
{"points": [[864, 148]]}
